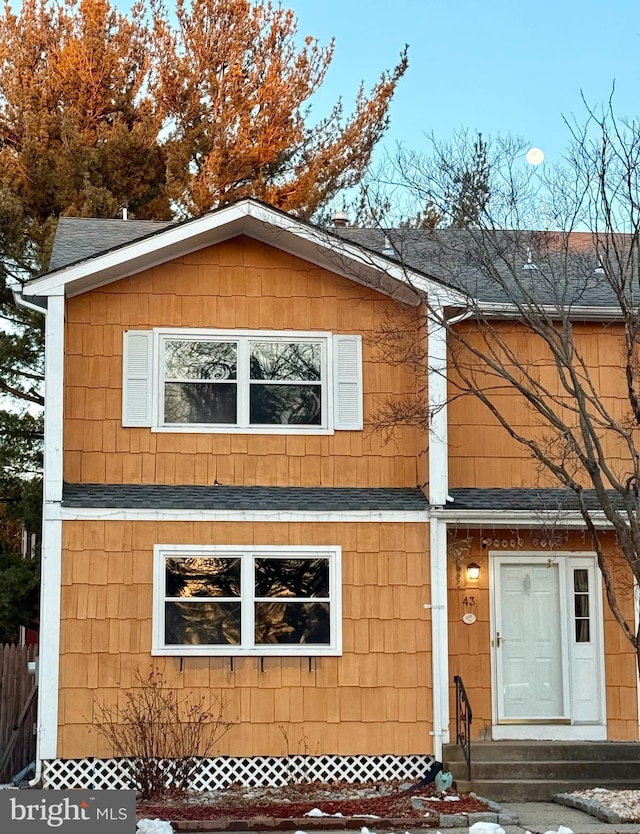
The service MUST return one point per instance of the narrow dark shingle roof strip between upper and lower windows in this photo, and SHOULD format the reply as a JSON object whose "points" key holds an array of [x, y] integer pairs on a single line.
{"points": [[288, 499]]}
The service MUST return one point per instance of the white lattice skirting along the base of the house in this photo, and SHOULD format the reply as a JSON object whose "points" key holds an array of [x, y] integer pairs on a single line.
{"points": [[223, 771]]}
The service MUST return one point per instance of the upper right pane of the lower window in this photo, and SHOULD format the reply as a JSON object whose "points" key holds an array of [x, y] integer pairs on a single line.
{"points": [[292, 577]]}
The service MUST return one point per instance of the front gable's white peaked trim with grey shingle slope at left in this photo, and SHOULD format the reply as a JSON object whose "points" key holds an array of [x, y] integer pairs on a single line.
{"points": [[77, 267]]}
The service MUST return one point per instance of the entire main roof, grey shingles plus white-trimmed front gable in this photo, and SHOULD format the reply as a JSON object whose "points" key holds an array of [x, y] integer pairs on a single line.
{"points": [[452, 265]]}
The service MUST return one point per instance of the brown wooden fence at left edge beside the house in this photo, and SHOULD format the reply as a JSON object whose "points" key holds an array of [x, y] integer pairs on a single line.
{"points": [[17, 710]]}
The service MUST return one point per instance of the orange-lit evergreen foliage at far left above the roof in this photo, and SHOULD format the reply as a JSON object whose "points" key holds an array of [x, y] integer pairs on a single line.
{"points": [[78, 130]]}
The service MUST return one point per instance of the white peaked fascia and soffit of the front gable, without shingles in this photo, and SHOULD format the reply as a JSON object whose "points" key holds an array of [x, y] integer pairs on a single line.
{"points": [[272, 227]]}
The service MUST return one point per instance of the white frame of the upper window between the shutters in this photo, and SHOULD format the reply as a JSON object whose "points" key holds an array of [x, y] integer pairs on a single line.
{"points": [[162, 334]]}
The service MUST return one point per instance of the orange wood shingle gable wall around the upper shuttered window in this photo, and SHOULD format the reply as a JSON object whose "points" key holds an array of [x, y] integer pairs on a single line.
{"points": [[238, 284]]}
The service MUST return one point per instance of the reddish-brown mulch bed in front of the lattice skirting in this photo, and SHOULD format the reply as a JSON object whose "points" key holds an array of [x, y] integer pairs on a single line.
{"points": [[270, 808]]}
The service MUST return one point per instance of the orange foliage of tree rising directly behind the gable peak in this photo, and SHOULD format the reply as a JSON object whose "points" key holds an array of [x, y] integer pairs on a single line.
{"points": [[234, 85]]}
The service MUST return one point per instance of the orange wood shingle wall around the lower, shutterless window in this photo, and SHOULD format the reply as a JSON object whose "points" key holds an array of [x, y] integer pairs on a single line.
{"points": [[374, 699]]}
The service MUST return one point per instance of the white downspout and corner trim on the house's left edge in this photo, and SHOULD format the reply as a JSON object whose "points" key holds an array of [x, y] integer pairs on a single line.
{"points": [[50, 588]]}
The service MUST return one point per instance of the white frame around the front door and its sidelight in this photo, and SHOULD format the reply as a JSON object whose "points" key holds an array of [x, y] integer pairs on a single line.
{"points": [[564, 728]]}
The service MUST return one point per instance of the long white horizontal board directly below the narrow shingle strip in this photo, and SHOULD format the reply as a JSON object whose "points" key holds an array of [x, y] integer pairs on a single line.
{"points": [[286, 516]]}
